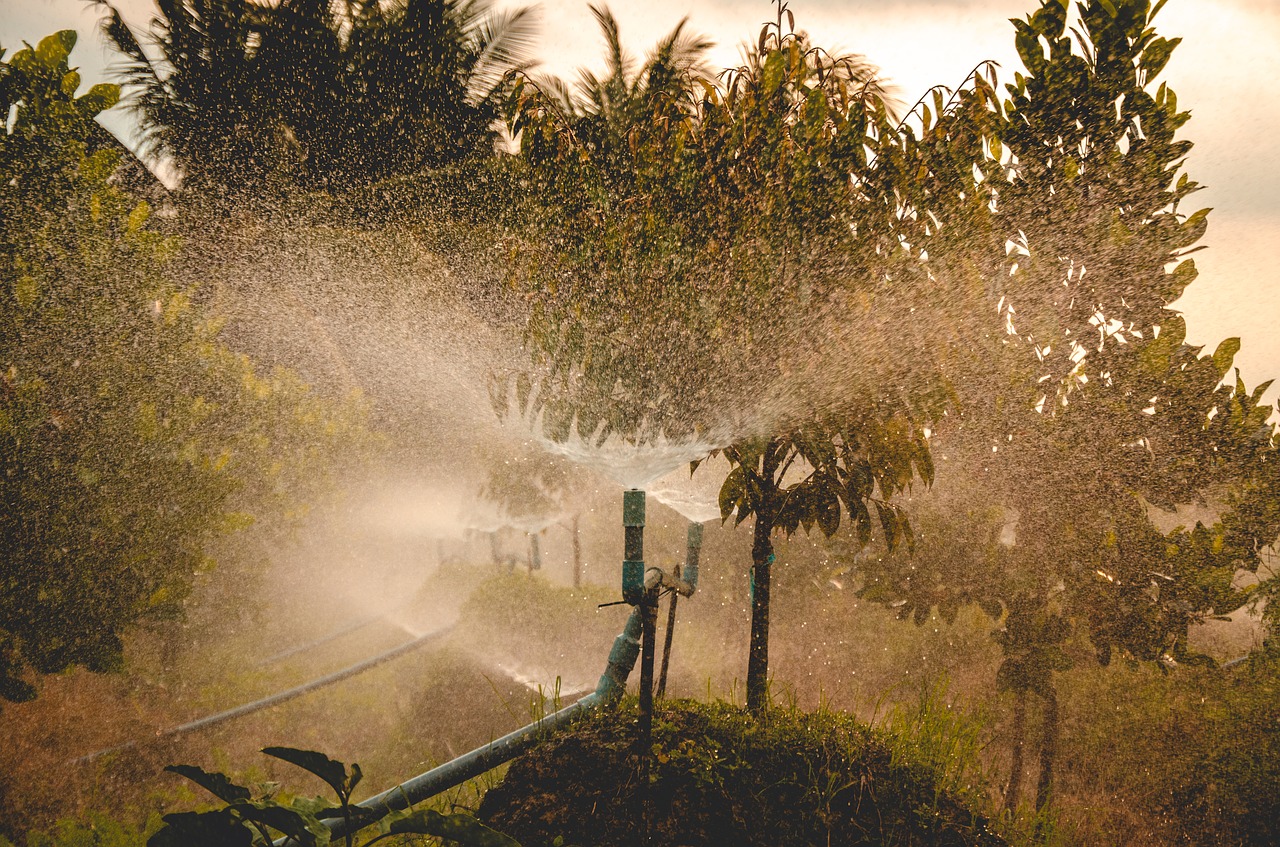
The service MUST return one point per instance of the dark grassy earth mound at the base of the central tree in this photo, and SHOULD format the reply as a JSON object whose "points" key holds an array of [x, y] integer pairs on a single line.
{"points": [[720, 777]]}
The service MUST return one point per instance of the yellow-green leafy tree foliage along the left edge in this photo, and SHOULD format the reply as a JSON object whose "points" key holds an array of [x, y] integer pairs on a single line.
{"points": [[130, 436]]}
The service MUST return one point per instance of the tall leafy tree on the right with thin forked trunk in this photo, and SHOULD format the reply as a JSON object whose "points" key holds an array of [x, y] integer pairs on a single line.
{"points": [[1096, 410]]}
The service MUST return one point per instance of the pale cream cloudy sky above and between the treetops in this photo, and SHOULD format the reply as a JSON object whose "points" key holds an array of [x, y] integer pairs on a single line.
{"points": [[1224, 72]]}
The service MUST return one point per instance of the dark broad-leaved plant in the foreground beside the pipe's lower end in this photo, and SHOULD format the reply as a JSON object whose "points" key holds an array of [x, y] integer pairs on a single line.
{"points": [[248, 821]]}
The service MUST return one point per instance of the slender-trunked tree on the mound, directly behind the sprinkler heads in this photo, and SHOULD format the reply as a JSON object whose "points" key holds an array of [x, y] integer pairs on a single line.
{"points": [[711, 251]]}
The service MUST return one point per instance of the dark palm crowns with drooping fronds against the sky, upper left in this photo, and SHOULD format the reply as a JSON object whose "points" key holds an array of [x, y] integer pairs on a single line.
{"points": [[253, 100]]}
